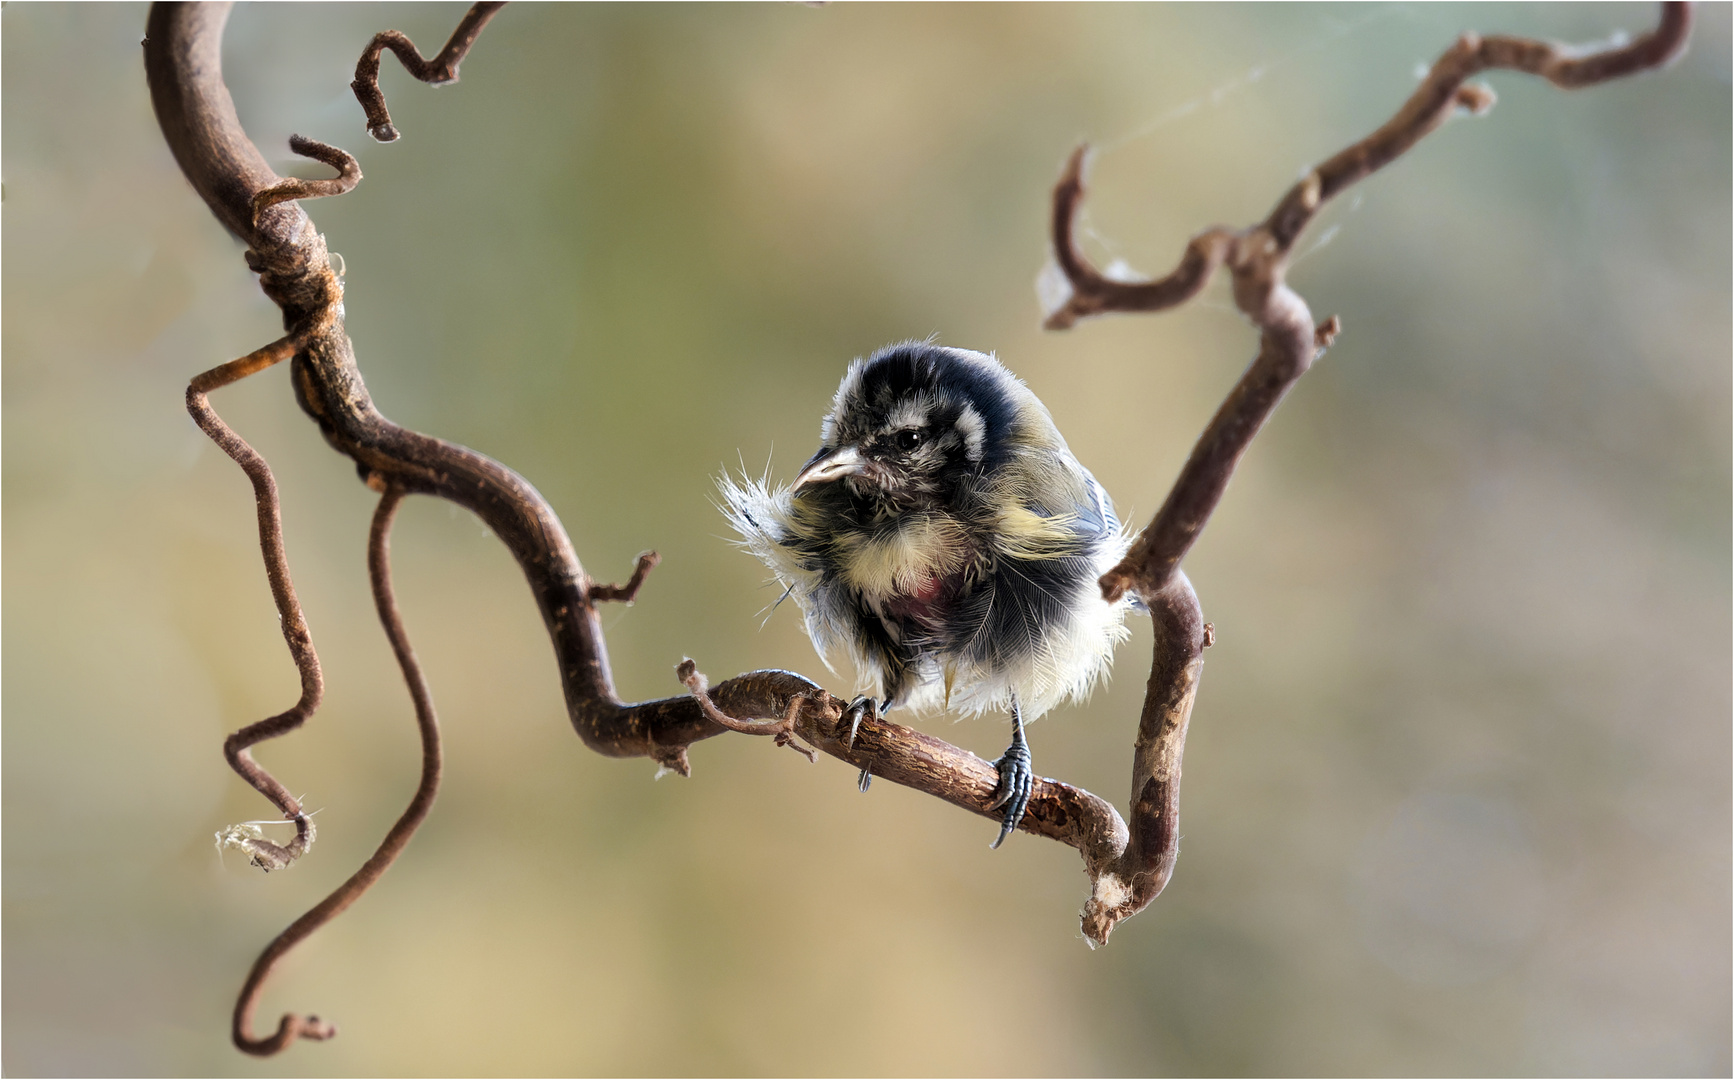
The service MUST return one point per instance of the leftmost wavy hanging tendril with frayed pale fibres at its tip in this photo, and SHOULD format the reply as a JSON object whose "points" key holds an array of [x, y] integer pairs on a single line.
{"points": [[237, 750]]}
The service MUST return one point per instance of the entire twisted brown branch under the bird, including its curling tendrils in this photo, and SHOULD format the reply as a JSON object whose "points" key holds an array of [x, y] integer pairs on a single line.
{"points": [[1128, 866]]}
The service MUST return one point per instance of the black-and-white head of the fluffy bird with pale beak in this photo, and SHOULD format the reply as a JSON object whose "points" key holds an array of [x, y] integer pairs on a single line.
{"points": [[916, 424]]}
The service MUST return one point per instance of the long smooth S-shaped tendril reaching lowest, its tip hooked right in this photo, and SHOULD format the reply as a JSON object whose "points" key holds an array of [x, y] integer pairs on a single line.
{"points": [[427, 724]]}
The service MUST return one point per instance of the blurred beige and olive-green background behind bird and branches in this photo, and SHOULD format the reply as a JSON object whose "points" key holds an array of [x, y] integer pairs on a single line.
{"points": [[1457, 790]]}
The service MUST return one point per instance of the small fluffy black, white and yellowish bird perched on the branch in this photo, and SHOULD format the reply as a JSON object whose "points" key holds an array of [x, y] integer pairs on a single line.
{"points": [[946, 540]]}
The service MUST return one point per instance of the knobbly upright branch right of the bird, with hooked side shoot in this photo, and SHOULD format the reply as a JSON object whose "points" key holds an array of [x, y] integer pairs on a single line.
{"points": [[1258, 259]]}
